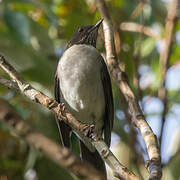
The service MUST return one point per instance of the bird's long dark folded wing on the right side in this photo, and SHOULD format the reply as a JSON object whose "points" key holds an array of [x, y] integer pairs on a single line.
{"points": [[109, 104]]}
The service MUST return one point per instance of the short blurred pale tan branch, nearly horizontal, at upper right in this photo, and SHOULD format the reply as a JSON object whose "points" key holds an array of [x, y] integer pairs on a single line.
{"points": [[135, 27]]}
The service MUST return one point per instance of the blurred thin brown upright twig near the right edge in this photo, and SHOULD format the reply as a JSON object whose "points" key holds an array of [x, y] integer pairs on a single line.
{"points": [[164, 59]]}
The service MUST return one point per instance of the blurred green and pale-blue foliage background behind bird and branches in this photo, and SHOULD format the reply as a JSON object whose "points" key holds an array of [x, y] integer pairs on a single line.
{"points": [[33, 36]]}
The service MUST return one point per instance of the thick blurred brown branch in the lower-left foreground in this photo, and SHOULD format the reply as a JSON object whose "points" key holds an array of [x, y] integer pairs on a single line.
{"points": [[60, 155]]}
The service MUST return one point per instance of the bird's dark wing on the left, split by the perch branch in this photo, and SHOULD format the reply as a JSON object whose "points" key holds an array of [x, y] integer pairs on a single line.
{"points": [[64, 129]]}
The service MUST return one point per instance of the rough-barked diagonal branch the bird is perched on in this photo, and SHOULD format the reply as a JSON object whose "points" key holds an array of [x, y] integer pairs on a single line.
{"points": [[26, 89]]}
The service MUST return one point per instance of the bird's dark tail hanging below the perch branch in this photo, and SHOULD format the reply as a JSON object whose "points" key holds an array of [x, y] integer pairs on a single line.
{"points": [[93, 158]]}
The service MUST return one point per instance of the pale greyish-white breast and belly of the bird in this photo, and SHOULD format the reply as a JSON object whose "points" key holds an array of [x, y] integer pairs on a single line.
{"points": [[81, 86]]}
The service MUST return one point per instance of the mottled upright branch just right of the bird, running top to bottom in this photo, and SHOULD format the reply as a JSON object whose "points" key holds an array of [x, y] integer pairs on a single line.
{"points": [[154, 164]]}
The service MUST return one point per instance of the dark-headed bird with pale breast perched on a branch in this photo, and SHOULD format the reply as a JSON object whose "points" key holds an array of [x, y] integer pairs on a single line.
{"points": [[83, 84]]}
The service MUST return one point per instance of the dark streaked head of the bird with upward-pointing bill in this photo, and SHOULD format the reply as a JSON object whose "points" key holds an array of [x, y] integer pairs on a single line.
{"points": [[85, 35]]}
